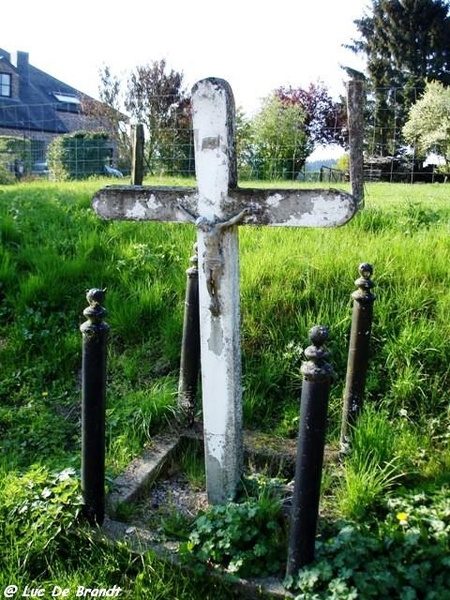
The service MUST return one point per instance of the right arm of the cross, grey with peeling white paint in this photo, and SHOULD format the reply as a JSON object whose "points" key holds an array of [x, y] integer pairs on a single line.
{"points": [[293, 207]]}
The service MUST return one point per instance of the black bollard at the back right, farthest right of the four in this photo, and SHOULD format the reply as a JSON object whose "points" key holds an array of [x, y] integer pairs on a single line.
{"points": [[358, 355]]}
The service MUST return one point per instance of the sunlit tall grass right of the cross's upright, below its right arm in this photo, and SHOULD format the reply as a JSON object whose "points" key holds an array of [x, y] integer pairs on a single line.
{"points": [[296, 278]]}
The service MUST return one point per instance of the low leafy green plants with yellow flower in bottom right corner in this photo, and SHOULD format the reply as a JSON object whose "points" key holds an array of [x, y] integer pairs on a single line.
{"points": [[397, 557]]}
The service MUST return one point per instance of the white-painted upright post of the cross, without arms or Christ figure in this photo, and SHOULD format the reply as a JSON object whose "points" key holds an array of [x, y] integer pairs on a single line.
{"points": [[220, 335]]}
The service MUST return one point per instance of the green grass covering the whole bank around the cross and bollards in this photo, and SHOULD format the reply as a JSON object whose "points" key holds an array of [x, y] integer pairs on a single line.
{"points": [[53, 248]]}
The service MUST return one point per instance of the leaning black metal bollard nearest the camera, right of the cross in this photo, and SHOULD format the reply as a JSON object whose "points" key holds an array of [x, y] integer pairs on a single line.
{"points": [[317, 375]]}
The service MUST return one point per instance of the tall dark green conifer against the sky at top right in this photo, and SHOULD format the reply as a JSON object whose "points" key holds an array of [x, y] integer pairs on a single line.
{"points": [[406, 43]]}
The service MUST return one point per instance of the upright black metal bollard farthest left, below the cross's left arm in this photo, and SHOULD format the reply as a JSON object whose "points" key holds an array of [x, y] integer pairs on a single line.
{"points": [[95, 332]]}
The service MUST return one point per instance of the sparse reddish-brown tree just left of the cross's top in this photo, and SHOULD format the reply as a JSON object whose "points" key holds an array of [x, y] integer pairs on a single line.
{"points": [[155, 98]]}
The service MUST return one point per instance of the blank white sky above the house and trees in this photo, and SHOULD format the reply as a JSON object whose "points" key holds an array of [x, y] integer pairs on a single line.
{"points": [[255, 45]]}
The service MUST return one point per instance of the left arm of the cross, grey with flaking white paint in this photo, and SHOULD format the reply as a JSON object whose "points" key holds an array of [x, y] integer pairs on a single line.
{"points": [[140, 203]]}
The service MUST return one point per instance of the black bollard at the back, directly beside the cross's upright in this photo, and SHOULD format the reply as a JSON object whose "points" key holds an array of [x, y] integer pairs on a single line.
{"points": [[190, 346]]}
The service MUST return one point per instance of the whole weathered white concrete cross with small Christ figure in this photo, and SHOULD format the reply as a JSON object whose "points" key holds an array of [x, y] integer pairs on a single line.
{"points": [[217, 206]]}
